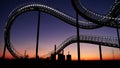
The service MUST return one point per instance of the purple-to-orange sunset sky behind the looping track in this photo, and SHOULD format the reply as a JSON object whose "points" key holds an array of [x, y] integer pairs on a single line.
{"points": [[54, 31]]}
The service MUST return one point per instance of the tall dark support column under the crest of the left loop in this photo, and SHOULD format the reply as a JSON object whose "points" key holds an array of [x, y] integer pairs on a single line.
{"points": [[37, 41]]}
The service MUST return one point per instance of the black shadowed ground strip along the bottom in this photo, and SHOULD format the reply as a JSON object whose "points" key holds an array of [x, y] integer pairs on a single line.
{"points": [[48, 63]]}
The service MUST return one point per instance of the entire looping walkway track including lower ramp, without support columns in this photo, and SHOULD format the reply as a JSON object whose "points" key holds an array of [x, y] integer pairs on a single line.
{"points": [[96, 21]]}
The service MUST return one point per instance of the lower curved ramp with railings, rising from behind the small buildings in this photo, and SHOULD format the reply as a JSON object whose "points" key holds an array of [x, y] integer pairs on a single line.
{"points": [[92, 39]]}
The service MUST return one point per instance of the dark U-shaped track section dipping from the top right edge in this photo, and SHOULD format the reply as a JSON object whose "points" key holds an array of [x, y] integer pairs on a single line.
{"points": [[108, 20]]}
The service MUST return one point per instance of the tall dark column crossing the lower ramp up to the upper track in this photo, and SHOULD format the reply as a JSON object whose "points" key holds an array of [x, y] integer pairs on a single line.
{"points": [[78, 45]]}
